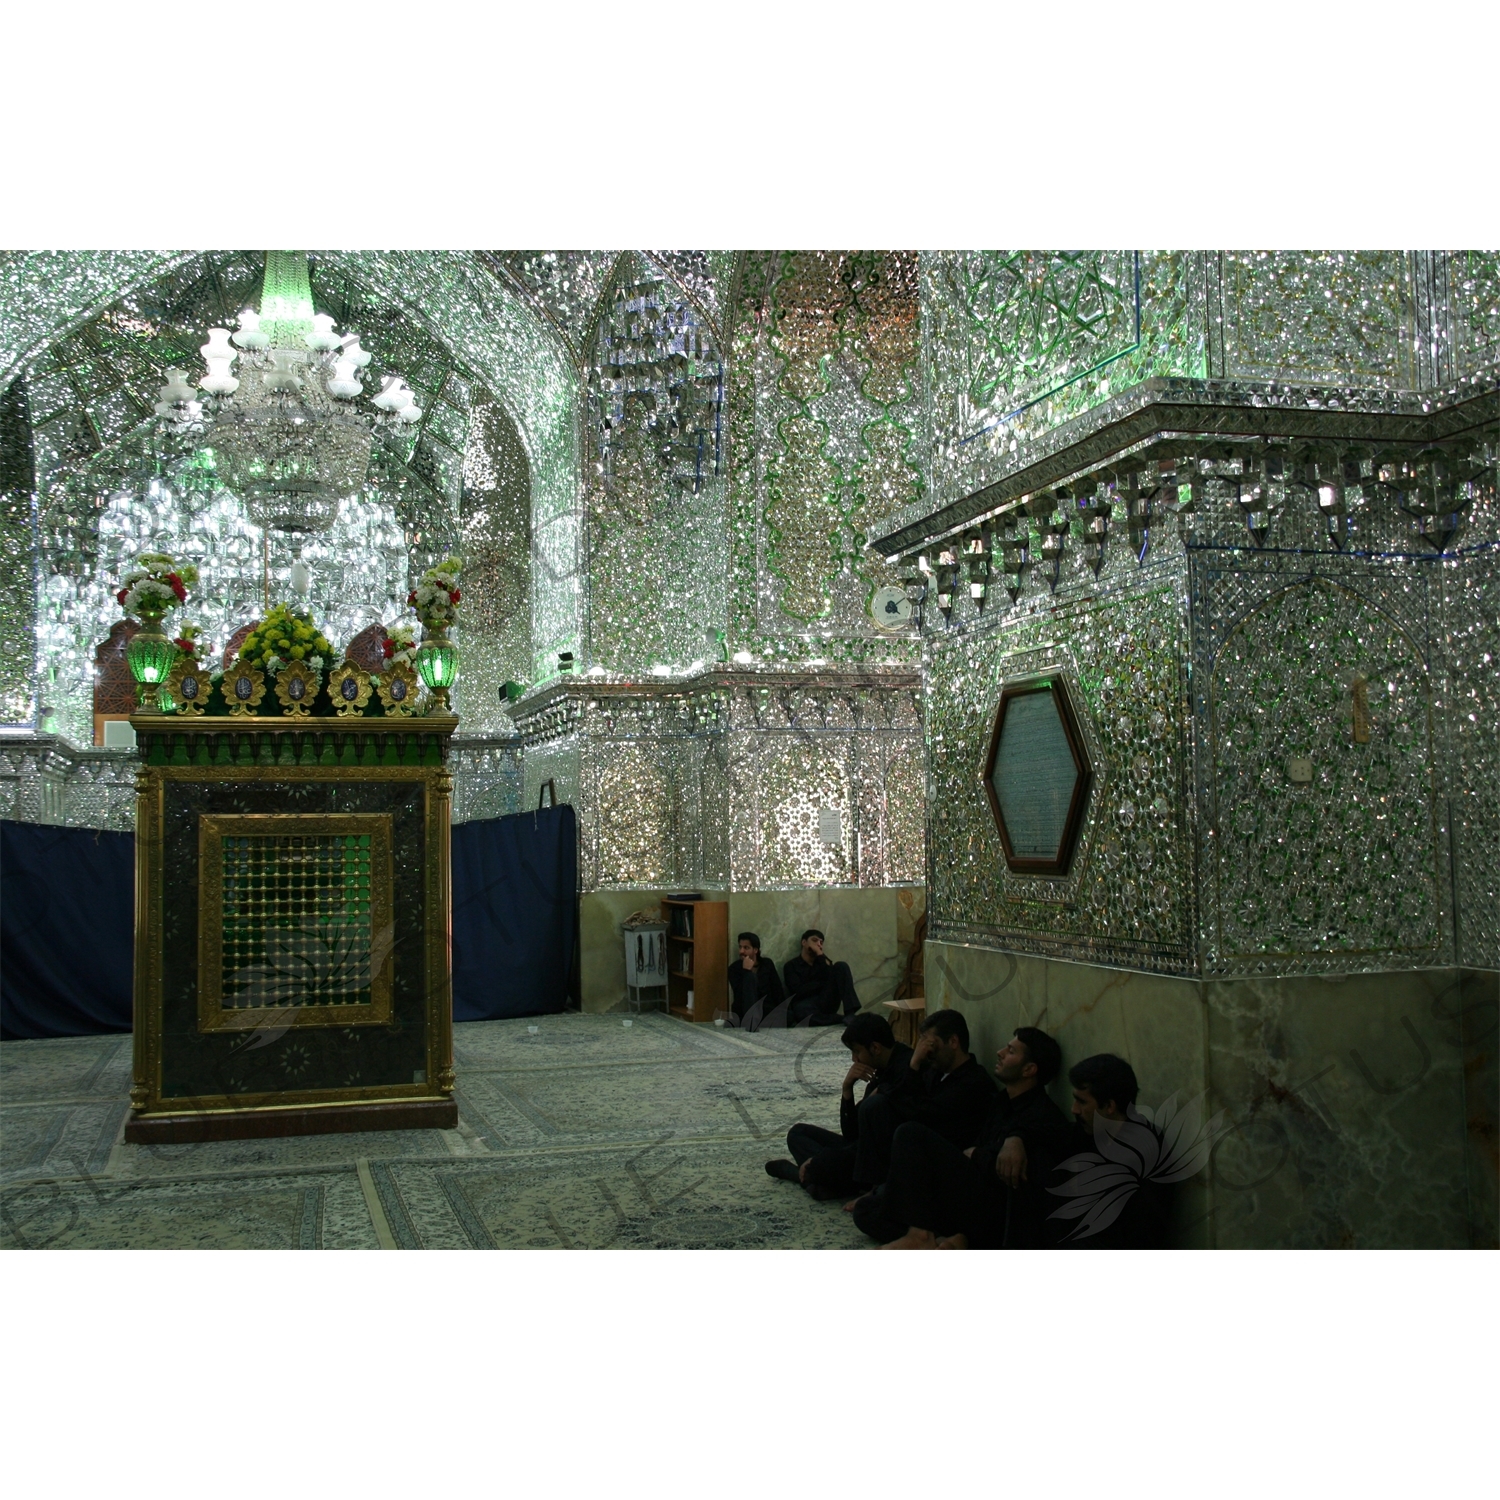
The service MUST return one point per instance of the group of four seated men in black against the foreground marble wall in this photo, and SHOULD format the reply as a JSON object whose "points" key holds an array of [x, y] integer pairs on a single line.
{"points": [[941, 1156]]}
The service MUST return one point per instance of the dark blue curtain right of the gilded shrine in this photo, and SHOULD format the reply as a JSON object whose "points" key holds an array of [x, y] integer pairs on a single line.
{"points": [[515, 914]]}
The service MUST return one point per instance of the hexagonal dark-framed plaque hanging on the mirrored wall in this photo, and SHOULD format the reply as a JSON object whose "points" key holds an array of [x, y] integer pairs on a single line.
{"points": [[1037, 776]]}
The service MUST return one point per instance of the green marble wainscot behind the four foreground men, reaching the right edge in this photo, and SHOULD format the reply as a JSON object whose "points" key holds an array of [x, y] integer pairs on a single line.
{"points": [[1360, 1111]]}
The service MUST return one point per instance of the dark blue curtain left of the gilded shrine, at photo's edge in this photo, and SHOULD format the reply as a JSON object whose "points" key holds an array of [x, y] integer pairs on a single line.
{"points": [[67, 931]]}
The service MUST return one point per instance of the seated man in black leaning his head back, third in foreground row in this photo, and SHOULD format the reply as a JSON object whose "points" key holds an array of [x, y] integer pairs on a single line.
{"points": [[991, 1196]]}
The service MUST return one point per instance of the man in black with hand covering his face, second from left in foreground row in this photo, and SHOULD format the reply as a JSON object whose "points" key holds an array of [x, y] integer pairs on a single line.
{"points": [[946, 1093]]}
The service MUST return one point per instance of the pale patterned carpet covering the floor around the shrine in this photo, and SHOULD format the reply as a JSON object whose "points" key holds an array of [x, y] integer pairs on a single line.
{"points": [[584, 1135]]}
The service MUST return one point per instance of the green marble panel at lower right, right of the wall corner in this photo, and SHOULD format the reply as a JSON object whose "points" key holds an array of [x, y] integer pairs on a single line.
{"points": [[1348, 1106]]}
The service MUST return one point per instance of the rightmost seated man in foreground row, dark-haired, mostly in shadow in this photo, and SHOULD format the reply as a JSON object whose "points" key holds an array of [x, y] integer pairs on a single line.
{"points": [[1112, 1214]]}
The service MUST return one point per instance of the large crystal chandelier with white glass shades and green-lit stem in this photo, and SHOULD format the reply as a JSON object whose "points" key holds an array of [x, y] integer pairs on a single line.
{"points": [[287, 433]]}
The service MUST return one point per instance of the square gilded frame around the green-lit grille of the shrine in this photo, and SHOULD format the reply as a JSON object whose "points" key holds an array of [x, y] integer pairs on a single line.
{"points": [[212, 830]]}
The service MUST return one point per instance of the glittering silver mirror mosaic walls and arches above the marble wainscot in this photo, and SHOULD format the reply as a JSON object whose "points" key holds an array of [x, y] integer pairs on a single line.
{"points": [[859, 410]]}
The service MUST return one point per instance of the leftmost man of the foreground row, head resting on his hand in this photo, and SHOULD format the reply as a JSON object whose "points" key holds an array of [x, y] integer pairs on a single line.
{"points": [[833, 1166]]}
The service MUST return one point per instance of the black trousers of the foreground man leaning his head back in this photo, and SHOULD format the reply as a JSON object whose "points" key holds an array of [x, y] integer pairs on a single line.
{"points": [[934, 1186]]}
